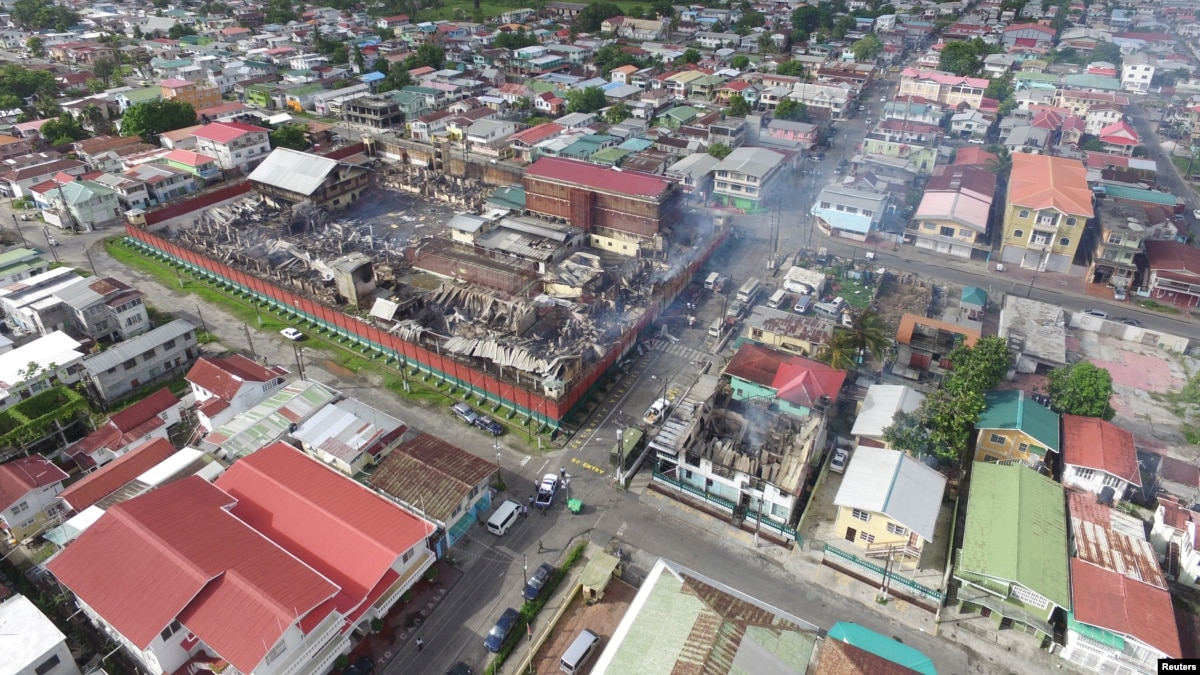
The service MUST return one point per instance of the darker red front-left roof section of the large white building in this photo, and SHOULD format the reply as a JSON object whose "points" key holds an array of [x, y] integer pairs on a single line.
{"points": [[178, 553]]}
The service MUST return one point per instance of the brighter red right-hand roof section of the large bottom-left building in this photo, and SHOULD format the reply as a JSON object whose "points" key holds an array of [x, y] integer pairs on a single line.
{"points": [[341, 529]]}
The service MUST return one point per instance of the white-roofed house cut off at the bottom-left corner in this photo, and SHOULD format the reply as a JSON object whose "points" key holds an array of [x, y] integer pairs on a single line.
{"points": [[31, 644]]}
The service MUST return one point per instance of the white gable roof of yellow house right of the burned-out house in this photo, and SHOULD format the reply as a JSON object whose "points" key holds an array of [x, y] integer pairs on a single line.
{"points": [[895, 485]]}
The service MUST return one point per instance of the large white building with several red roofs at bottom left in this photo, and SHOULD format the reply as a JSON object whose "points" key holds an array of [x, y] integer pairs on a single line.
{"points": [[271, 569]]}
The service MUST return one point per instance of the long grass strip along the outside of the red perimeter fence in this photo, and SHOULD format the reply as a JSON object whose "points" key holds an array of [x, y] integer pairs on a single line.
{"points": [[422, 389]]}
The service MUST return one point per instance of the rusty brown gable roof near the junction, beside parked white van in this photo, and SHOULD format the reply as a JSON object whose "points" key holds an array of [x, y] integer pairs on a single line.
{"points": [[431, 475]]}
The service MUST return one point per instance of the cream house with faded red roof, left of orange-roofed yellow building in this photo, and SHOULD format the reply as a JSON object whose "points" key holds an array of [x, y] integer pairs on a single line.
{"points": [[953, 216]]}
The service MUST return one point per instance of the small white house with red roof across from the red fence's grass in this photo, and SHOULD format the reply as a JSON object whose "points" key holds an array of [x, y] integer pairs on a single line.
{"points": [[225, 387]]}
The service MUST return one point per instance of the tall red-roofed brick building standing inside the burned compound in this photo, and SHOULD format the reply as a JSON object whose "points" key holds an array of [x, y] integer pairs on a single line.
{"points": [[622, 212]]}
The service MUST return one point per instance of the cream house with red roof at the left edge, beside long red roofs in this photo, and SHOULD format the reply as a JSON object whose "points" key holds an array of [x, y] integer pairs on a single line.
{"points": [[29, 489]]}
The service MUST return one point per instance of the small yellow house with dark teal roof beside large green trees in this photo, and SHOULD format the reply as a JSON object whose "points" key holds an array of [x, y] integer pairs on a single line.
{"points": [[1015, 427]]}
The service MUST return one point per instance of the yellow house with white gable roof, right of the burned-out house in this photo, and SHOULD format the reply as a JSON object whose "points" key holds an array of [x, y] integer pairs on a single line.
{"points": [[889, 504]]}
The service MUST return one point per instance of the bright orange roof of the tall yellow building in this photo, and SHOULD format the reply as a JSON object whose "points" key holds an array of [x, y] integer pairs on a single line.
{"points": [[1041, 182]]}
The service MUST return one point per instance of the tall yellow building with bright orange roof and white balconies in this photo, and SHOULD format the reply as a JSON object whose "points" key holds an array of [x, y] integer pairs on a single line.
{"points": [[1049, 205]]}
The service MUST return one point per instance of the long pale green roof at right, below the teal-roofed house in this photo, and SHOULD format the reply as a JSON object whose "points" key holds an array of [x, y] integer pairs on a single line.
{"points": [[1017, 530]]}
